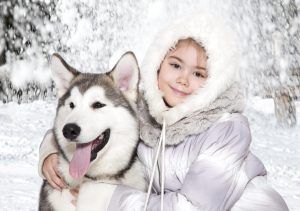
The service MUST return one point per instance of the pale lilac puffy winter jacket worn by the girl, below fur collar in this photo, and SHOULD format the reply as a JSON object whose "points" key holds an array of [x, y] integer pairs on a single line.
{"points": [[210, 171]]}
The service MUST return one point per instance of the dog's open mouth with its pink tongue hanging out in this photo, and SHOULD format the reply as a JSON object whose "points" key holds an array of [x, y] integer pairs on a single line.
{"points": [[86, 153]]}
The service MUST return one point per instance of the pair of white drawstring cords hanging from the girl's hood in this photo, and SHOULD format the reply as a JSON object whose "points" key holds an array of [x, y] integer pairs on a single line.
{"points": [[161, 144]]}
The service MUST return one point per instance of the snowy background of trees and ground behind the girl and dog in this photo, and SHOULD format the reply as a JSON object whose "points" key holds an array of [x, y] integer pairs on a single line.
{"points": [[92, 34]]}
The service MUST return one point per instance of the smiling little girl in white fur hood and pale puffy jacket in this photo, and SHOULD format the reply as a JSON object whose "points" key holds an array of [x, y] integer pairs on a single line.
{"points": [[191, 93]]}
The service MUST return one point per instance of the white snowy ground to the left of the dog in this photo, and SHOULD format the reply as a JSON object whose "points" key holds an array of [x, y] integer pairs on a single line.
{"points": [[21, 130]]}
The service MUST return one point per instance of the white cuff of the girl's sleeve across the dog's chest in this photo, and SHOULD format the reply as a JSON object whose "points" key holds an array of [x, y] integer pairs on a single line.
{"points": [[94, 196]]}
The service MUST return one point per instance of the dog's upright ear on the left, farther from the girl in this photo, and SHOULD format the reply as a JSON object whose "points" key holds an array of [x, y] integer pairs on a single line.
{"points": [[62, 74]]}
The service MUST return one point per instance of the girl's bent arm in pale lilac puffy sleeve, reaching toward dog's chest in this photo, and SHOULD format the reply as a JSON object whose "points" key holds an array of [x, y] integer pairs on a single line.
{"points": [[215, 180]]}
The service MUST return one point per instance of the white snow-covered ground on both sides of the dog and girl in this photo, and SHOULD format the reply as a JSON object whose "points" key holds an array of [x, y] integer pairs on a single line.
{"points": [[22, 128]]}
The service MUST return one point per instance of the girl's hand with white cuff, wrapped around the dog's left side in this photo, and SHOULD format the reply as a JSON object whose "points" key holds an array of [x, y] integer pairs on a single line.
{"points": [[48, 162]]}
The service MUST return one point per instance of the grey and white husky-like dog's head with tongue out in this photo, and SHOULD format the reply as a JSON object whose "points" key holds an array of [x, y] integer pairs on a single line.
{"points": [[96, 126]]}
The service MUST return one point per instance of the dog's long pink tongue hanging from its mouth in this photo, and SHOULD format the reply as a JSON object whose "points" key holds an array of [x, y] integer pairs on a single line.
{"points": [[80, 161]]}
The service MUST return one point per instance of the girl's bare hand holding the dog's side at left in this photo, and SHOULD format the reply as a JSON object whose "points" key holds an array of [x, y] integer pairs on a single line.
{"points": [[51, 172]]}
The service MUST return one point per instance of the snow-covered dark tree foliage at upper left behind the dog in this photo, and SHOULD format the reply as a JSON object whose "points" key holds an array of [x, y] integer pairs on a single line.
{"points": [[26, 37]]}
